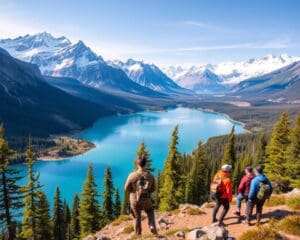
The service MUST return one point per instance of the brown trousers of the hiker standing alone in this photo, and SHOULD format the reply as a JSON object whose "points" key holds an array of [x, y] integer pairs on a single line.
{"points": [[137, 208]]}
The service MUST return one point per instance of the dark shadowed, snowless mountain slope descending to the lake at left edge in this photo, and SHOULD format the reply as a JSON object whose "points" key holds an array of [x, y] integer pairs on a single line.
{"points": [[30, 106]]}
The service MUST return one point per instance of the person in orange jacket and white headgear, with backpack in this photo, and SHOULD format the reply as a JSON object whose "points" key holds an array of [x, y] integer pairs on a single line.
{"points": [[221, 192]]}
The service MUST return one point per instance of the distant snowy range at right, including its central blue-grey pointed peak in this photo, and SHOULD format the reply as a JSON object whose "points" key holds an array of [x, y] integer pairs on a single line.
{"points": [[227, 73]]}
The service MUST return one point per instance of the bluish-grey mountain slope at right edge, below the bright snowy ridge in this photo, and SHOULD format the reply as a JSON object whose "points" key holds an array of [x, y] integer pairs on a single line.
{"points": [[282, 83]]}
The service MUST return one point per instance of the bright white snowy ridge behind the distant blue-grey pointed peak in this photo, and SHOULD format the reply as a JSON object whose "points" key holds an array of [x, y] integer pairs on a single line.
{"points": [[231, 73]]}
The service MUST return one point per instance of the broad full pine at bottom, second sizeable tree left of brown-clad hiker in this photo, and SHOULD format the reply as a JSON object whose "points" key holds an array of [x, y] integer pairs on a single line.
{"points": [[89, 213]]}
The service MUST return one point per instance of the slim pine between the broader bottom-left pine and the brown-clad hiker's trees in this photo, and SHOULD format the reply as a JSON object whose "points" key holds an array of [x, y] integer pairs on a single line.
{"points": [[107, 207]]}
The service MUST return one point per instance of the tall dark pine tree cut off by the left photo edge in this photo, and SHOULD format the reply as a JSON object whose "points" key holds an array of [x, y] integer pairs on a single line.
{"points": [[11, 195]]}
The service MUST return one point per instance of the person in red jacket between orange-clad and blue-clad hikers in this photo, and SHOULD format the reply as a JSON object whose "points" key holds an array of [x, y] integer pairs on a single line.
{"points": [[243, 190]]}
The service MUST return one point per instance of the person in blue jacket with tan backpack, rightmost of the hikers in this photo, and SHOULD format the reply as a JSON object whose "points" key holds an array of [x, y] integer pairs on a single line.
{"points": [[260, 190]]}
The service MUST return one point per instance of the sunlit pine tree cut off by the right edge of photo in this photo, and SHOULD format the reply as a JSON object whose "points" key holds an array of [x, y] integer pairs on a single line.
{"points": [[293, 155]]}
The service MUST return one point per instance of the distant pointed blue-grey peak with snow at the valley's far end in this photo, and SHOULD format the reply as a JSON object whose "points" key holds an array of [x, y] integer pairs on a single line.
{"points": [[200, 80]]}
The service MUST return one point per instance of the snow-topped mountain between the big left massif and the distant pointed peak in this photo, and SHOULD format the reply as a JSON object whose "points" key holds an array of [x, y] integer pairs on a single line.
{"points": [[149, 75]]}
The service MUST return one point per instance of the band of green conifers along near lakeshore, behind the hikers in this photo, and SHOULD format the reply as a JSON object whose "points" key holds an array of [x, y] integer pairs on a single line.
{"points": [[185, 178]]}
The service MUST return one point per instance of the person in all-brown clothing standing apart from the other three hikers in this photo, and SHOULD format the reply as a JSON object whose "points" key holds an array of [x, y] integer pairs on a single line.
{"points": [[140, 184]]}
